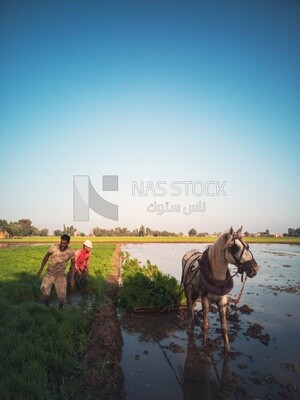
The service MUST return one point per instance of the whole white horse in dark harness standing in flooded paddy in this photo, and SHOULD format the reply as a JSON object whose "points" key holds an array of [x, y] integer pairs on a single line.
{"points": [[207, 275]]}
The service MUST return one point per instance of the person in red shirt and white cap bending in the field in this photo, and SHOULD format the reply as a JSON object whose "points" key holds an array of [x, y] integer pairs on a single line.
{"points": [[82, 265]]}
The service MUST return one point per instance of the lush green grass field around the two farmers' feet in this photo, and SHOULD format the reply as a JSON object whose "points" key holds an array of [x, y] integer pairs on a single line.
{"points": [[42, 348]]}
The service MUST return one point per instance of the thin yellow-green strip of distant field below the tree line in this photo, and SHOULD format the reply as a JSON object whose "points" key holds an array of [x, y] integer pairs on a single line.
{"points": [[149, 239]]}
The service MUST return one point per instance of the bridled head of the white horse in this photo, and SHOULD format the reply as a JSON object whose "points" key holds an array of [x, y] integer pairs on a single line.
{"points": [[237, 252]]}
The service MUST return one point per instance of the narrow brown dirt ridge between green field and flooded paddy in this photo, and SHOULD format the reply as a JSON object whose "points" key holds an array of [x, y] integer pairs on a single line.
{"points": [[104, 378]]}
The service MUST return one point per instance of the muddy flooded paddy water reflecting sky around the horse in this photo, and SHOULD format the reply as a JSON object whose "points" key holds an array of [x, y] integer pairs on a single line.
{"points": [[160, 361]]}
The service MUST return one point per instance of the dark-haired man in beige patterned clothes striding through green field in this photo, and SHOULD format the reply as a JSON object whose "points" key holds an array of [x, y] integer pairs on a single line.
{"points": [[58, 256]]}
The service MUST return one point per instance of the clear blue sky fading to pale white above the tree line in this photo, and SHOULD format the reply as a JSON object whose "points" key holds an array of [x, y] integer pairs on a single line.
{"points": [[205, 92]]}
